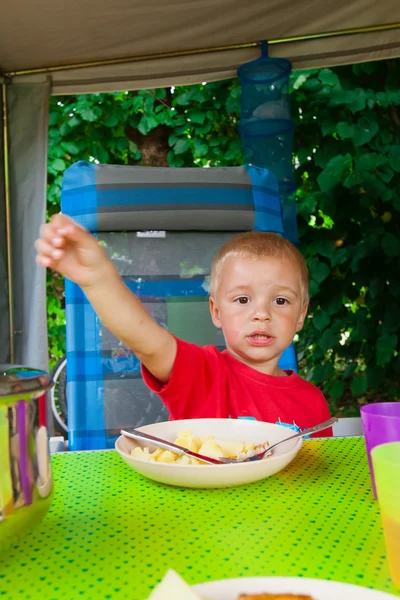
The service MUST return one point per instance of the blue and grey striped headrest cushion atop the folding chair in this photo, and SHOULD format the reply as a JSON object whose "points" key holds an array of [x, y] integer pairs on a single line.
{"points": [[116, 198]]}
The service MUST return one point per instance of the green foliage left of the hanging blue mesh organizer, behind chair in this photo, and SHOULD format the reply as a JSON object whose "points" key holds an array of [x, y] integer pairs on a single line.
{"points": [[202, 122]]}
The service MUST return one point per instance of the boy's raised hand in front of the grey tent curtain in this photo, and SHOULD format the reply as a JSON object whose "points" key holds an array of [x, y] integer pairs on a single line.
{"points": [[71, 250]]}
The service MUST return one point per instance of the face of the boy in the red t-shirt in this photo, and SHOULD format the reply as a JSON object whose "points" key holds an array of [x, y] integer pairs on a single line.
{"points": [[259, 305]]}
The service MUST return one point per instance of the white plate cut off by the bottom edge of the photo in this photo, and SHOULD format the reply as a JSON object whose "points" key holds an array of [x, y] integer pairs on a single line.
{"points": [[319, 589]]}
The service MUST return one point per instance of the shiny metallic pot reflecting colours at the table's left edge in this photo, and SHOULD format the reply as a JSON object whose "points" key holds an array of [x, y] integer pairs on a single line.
{"points": [[25, 469]]}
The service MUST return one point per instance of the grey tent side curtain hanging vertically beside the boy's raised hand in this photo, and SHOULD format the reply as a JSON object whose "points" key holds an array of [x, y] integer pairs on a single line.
{"points": [[27, 106]]}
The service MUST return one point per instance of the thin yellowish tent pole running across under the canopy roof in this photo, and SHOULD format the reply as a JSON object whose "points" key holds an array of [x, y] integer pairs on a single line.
{"points": [[197, 51]]}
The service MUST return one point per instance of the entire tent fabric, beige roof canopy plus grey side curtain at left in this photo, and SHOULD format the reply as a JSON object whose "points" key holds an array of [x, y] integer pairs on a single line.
{"points": [[53, 33]]}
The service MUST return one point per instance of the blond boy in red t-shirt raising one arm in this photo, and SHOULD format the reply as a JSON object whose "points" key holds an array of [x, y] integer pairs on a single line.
{"points": [[258, 297]]}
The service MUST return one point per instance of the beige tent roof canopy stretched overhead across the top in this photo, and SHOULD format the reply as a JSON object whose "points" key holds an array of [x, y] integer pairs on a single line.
{"points": [[58, 33]]}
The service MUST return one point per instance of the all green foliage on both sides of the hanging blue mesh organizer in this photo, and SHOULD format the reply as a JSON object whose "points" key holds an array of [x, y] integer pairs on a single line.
{"points": [[347, 162]]}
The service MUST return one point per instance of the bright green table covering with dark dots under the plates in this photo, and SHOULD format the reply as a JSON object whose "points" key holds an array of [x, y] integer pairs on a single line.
{"points": [[112, 534]]}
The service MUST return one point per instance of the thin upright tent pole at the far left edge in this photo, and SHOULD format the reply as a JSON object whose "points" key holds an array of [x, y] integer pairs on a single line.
{"points": [[8, 219]]}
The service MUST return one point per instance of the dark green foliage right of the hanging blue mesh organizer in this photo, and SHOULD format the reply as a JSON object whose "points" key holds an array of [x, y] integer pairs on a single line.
{"points": [[347, 149]]}
